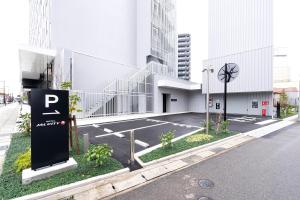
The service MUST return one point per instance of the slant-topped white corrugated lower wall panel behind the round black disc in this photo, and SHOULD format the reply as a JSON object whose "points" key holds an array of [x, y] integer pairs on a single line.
{"points": [[255, 75]]}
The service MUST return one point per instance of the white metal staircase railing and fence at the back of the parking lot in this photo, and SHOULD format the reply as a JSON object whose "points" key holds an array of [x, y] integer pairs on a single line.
{"points": [[129, 95]]}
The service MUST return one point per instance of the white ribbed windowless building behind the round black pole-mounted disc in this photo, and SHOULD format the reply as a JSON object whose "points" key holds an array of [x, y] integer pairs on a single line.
{"points": [[241, 32]]}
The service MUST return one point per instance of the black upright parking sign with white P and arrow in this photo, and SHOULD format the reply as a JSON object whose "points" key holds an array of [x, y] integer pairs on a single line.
{"points": [[49, 127]]}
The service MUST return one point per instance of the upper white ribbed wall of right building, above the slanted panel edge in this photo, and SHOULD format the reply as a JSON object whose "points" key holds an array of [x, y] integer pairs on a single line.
{"points": [[239, 25]]}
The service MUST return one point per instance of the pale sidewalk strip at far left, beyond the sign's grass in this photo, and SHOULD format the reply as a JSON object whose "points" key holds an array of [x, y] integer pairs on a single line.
{"points": [[8, 116]]}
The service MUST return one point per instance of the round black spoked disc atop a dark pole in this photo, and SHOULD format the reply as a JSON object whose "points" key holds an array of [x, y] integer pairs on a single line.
{"points": [[232, 72]]}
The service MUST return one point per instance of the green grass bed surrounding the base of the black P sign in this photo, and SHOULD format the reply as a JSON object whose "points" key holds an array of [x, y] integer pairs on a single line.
{"points": [[11, 182]]}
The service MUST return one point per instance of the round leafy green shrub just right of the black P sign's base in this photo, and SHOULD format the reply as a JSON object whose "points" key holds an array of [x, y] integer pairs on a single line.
{"points": [[99, 153]]}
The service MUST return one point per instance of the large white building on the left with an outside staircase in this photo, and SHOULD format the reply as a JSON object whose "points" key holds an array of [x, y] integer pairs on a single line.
{"points": [[120, 55]]}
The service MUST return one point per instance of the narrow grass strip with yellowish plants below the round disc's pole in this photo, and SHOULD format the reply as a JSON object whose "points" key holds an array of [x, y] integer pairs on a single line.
{"points": [[189, 142]]}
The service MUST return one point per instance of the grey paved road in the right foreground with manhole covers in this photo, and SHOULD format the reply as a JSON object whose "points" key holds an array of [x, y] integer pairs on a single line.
{"points": [[264, 169]]}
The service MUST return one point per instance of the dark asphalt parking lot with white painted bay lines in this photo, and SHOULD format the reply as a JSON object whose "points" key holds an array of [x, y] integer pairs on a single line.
{"points": [[148, 130]]}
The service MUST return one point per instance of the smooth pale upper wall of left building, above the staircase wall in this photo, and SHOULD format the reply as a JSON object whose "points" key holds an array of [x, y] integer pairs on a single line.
{"points": [[104, 29]]}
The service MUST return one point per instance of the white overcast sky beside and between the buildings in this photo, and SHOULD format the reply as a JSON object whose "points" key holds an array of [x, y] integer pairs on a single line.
{"points": [[192, 18]]}
